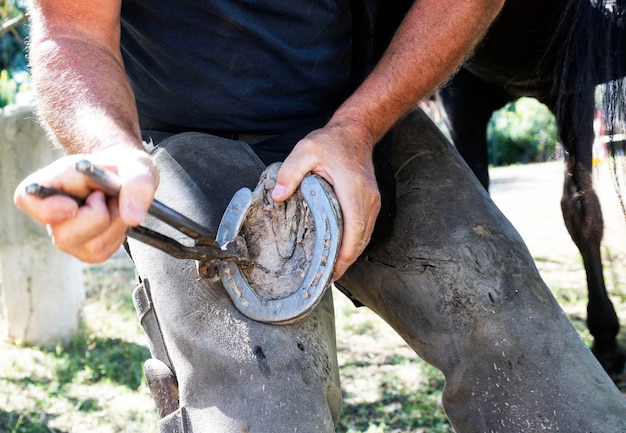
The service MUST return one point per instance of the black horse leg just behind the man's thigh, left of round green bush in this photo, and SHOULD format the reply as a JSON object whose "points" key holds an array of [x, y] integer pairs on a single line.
{"points": [[469, 103]]}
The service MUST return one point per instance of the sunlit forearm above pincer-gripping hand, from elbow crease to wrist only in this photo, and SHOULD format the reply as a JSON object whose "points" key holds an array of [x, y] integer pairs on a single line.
{"points": [[83, 95]]}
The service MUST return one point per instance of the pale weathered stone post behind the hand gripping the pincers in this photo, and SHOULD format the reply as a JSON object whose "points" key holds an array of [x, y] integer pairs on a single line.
{"points": [[42, 290]]}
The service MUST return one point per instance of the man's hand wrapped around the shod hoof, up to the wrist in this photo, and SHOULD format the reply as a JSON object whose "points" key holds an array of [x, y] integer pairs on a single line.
{"points": [[345, 161]]}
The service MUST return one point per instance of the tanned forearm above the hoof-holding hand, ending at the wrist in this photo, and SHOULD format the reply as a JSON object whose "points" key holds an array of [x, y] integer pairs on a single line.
{"points": [[430, 44]]}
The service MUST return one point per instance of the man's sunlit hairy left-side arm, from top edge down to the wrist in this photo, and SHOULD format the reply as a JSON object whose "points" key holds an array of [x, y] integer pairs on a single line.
{"points": [[83, 96]]}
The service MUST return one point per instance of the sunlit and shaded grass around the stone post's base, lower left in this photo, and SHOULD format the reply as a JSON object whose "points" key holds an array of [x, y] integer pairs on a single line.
{"points": [[94, 383]]}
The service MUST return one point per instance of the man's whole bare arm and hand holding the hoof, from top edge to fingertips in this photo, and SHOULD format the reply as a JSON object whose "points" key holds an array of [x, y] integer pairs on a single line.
{"points": [[420, 56]]}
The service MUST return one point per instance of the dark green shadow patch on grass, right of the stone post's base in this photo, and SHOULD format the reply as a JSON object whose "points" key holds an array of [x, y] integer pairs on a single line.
{"points": [[98, 359]]}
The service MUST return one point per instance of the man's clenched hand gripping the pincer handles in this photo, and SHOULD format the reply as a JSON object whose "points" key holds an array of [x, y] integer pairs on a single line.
{"points": [[92, 232]]}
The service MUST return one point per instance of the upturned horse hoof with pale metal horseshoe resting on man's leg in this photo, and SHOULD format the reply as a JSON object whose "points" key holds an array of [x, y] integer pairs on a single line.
{"points": [[293, 247]]}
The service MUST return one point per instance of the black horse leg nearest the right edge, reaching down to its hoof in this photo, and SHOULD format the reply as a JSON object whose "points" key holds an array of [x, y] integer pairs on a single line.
{"points": [[583, 219]]}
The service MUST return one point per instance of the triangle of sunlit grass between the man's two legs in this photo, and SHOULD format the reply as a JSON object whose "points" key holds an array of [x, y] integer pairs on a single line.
{"points": [[387, 388]]}
